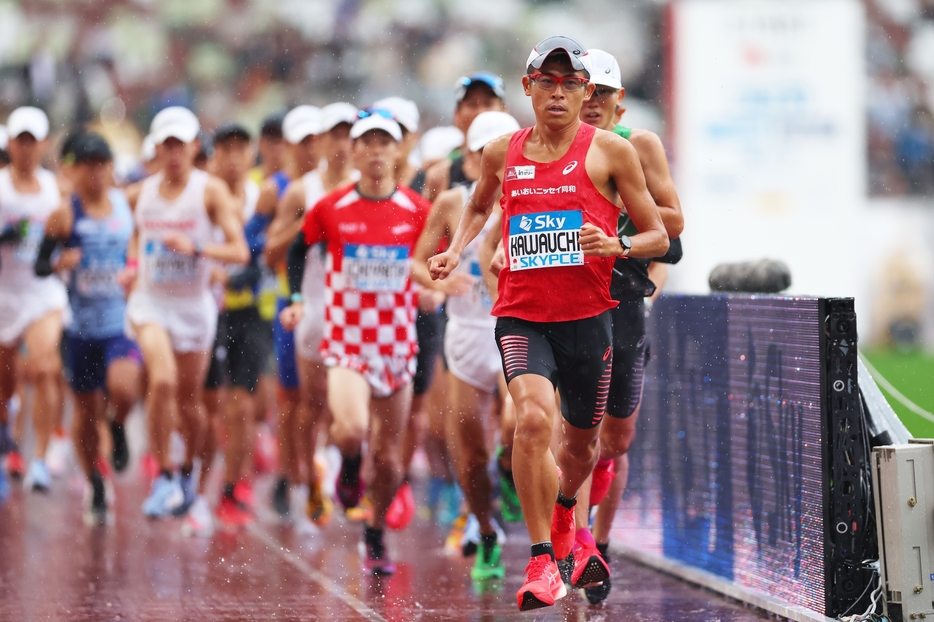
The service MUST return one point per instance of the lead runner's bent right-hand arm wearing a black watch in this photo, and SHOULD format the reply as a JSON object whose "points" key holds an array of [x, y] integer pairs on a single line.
{"points": [[615, 168]]}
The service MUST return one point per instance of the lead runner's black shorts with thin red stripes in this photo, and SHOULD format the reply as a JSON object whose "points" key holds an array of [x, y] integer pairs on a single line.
{"points": [[576, 356]]}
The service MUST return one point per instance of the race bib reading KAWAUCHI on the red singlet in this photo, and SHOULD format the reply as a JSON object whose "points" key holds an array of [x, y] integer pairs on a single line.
{"points": [[545, 240]]}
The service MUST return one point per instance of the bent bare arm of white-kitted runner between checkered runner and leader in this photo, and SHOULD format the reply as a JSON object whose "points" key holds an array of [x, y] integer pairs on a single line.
{"points": [[440, 225]]}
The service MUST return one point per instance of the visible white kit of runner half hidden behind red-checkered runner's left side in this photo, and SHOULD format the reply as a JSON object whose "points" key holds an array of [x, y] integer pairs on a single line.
{"points": [[310, 330]]}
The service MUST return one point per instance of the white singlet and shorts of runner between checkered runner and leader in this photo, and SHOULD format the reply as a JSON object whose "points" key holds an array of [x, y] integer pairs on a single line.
{"points": [[469, 341]]}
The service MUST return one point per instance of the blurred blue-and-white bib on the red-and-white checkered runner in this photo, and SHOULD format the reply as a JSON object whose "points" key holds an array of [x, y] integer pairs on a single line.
{"points": [[376, 268]]}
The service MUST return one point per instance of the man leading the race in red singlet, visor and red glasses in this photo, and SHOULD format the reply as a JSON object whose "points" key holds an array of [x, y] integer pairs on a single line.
{"points": [[559, 180]]}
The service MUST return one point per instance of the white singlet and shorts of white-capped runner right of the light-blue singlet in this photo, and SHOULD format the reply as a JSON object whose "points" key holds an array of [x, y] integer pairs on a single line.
{"points": [[173, 290]]}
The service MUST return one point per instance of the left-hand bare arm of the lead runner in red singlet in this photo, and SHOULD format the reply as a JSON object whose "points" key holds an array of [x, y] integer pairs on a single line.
{"points": [[477, 209]]}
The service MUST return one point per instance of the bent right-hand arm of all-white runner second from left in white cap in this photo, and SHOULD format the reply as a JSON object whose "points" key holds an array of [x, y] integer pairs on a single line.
{"points": [[222, 211]]}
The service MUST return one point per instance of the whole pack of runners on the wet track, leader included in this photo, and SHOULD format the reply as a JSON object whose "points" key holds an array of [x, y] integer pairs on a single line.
{"points": [[486, 305]]}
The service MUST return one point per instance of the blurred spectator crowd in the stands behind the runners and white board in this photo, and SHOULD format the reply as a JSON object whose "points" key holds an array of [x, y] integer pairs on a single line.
{"points": [[120, 61]]}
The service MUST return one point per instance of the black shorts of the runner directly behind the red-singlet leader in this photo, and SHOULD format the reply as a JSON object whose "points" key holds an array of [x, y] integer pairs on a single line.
{"points": [[630, 354]]}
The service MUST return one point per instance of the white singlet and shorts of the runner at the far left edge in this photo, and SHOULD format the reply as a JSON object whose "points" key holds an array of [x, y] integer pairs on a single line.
{"points": [[24, 297]]}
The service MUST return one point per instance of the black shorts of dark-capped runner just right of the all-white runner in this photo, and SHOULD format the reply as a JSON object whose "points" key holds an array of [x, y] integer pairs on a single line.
{"points": [[240, 350]]}
